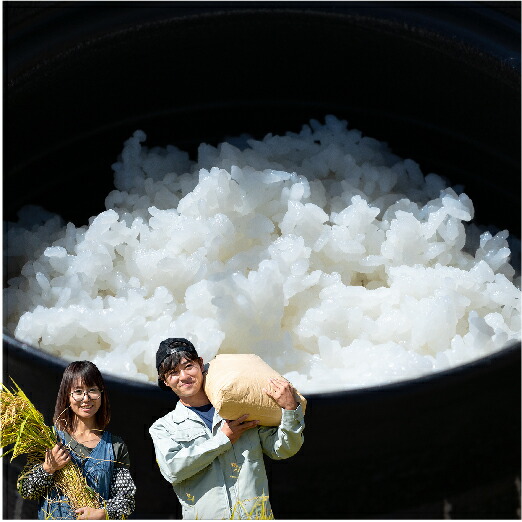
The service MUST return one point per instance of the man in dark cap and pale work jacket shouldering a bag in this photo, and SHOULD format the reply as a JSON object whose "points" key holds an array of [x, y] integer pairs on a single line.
{"points": [[216, 465]]}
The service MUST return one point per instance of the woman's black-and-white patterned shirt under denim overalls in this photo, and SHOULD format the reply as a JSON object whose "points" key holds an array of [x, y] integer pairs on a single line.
{"points": [[34, 483]]}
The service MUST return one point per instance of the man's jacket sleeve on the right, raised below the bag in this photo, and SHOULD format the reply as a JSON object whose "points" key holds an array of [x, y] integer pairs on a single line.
{"points": [[285, 440]]}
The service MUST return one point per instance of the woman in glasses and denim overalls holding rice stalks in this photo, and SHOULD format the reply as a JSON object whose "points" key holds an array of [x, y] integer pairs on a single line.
{"points": [[81, 415]]}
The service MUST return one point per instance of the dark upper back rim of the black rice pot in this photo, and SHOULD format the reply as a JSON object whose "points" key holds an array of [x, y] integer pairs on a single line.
{"points": [[488, 37]]}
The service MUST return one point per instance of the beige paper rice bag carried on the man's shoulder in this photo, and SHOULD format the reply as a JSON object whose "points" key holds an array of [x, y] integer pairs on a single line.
{"points": [[234, 385]]}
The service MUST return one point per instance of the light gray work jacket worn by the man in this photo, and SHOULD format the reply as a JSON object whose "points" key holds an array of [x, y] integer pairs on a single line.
{"points": [[213, 478]]}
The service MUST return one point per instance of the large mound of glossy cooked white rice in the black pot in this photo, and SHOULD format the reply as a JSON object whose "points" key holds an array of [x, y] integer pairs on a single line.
{"points": [[337, 262]]}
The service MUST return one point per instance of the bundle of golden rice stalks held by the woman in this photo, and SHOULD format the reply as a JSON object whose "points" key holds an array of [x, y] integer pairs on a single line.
{"points": [[23, 428]]}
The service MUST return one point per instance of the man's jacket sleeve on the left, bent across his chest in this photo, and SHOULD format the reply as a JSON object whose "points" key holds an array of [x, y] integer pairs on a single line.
{"points": [[179, 462]]}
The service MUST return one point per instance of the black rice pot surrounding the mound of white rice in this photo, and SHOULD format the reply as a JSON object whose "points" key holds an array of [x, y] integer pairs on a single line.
{"points": [[440, 82]]}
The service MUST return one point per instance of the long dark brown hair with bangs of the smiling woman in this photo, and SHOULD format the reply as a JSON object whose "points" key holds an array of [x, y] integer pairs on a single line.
{"points": [[87, 374]]}
